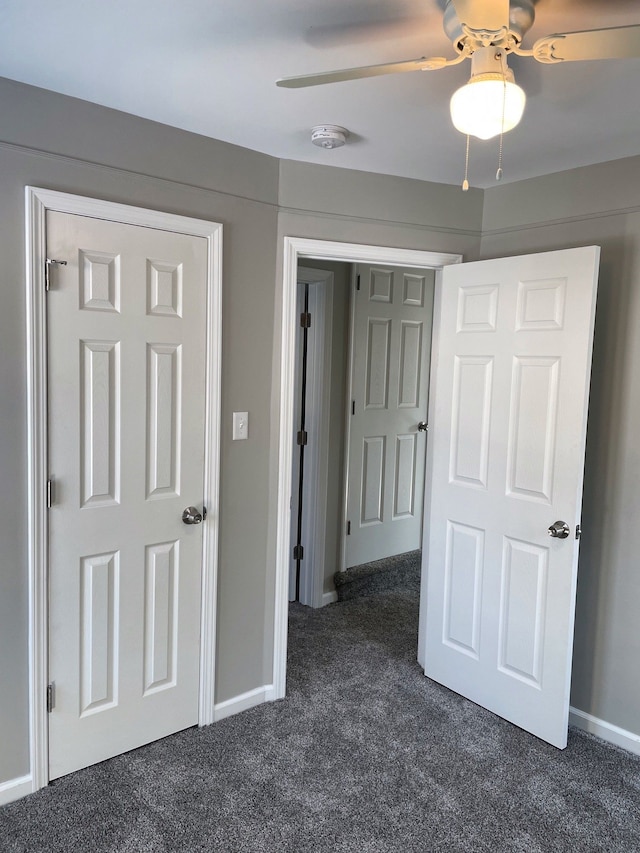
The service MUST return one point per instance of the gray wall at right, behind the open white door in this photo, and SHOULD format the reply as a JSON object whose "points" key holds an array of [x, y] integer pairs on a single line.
{"points": [[597, 205]]}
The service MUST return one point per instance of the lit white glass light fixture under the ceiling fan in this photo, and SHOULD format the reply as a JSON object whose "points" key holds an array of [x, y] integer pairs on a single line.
{"points": [[489, 104]]}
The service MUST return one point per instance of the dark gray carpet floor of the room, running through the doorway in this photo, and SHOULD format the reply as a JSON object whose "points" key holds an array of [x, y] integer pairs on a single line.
{"points": [[365, 755]]}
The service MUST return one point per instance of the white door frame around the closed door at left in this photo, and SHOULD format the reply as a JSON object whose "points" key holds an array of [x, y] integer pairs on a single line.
{"points": [[37, 203]]}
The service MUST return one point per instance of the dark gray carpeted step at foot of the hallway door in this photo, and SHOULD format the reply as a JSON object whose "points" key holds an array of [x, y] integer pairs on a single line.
{"points": [[379, 576]]}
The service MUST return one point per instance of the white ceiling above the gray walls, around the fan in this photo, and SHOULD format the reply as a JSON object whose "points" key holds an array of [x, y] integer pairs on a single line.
{"points": [[210, 66]]}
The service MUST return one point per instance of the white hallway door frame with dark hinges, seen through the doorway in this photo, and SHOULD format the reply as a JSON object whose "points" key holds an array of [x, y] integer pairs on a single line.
{"points": [[314, 486]]}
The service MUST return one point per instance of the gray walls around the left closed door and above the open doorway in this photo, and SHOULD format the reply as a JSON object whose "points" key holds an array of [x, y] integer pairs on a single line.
{"points": [[61, 143]]}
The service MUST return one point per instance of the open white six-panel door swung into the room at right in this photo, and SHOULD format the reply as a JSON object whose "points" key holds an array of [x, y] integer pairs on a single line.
{"points": [[507, 436]]}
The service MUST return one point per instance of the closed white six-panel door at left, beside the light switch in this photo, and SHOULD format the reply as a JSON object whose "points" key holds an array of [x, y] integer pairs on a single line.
{"points": [[126, 323]]}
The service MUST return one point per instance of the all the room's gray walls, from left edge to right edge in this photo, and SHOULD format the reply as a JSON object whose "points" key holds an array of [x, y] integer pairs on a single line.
{"points": [[60, 143]]}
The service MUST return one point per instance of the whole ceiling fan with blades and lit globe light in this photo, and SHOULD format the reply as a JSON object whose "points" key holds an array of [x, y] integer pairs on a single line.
{"points": [[487, 31]]}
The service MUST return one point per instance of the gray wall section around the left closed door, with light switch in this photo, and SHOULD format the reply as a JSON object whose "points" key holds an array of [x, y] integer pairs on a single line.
{"points": [[157, 167]]}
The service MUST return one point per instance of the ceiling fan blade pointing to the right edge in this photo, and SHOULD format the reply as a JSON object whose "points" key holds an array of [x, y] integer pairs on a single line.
{"points": [[613, 43]]}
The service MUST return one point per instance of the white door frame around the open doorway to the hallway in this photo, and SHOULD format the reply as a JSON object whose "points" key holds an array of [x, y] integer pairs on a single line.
{"points": [[294, 249]]}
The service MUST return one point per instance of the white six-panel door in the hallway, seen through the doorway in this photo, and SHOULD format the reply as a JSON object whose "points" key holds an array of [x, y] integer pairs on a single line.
{"points": [[390, 387]]}
